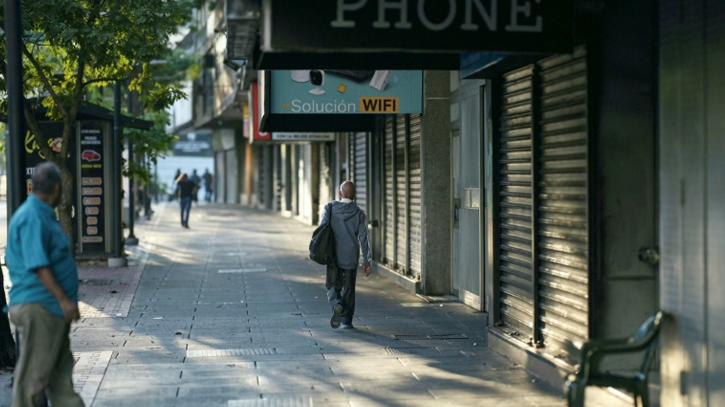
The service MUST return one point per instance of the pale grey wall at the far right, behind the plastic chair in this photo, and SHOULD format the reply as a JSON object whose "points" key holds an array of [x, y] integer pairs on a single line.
{"points": [[692, 201]]}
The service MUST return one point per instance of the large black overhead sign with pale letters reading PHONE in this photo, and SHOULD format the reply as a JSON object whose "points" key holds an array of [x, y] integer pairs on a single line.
{"points": [[517, 26]]}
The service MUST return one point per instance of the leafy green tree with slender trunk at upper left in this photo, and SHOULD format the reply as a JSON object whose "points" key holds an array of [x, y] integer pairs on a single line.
{"points": [[71, 47]]}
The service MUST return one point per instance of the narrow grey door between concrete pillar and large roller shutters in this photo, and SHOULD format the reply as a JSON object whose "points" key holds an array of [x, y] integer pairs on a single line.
{"points": [[467, 277]]}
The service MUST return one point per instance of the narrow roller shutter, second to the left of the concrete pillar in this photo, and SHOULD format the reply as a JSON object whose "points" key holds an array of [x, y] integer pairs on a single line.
{"points": [[401, 199]]}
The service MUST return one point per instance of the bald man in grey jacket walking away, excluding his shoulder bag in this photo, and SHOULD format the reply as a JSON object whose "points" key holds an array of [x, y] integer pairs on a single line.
{"points": [[349, 228]]}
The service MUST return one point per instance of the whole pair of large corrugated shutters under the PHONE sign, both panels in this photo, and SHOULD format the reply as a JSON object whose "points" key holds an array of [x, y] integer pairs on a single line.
{"points": [[543, 205]]}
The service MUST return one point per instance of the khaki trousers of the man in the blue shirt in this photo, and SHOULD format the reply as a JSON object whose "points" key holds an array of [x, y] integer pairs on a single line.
{"points": [[45, 366]]}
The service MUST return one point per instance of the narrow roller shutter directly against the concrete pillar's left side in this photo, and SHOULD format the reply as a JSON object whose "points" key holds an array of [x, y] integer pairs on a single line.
{"points": [[414, 185]]}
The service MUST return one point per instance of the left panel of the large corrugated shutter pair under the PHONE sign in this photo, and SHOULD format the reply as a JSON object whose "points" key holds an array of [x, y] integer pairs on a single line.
{"points": [[516, 201]]}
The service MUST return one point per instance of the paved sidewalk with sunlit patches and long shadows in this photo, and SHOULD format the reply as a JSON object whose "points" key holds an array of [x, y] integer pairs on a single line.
{"points": [[232, 313]]}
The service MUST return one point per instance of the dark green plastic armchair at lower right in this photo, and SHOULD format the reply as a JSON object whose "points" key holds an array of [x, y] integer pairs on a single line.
{"points": [[593, 352]]}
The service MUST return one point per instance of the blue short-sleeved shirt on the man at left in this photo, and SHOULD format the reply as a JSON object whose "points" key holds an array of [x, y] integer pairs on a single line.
{"points": [[35, 240]]}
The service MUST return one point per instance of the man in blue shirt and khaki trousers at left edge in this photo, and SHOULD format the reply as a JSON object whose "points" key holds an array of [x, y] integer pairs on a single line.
{"points": [[43, 297]]}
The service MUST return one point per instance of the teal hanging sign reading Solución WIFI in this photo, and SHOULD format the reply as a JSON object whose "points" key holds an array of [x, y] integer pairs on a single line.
{"points": [[320, 91]]}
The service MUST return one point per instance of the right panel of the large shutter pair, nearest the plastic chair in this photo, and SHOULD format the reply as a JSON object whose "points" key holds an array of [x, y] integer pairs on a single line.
{"points": [[562, 205]]}
